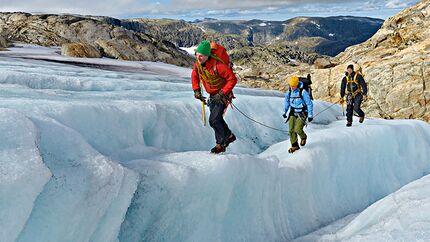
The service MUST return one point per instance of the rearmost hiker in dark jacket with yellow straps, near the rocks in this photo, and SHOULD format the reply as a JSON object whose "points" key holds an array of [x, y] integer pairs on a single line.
{"points": [[356, 92]]}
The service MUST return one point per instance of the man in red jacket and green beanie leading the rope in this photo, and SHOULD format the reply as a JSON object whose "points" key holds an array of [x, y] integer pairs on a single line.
{"points": [[219, 81]]}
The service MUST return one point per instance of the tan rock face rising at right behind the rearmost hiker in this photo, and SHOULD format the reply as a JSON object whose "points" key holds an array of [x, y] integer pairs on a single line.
{"points": [[396, 66]]}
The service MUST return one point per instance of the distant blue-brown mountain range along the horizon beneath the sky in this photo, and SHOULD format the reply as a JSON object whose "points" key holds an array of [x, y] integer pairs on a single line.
{"points": [[326, 36]]}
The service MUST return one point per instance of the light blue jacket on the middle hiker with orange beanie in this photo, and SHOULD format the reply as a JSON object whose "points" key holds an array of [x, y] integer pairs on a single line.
{"points": [[297, 103]]}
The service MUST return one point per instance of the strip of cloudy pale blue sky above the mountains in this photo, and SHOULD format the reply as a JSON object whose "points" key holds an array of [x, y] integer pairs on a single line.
{"points": [[219, 9]]}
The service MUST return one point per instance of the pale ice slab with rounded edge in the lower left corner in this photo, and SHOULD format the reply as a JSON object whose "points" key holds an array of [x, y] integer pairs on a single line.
{"points": [[20, 165]]}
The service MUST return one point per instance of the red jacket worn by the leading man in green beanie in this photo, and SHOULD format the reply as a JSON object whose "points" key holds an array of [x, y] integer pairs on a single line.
{"points": [[219, 69]]}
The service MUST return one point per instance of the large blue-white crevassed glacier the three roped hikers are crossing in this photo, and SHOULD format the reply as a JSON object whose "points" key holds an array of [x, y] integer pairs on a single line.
{"points": [[96, 155]]}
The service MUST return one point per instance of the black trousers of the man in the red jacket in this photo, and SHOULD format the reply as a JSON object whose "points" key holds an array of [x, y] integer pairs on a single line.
{"points": [[217, 122]]}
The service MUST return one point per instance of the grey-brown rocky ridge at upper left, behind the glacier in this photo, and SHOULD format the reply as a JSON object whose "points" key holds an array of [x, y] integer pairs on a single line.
{"points": [[56, 30]]}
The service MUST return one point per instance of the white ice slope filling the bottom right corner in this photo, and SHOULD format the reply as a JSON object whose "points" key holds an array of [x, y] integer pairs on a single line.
{"points": [[401, 216]]}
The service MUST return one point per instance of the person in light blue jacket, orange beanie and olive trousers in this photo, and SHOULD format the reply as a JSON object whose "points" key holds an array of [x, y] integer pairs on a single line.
{"points": [[299, 103]]}
